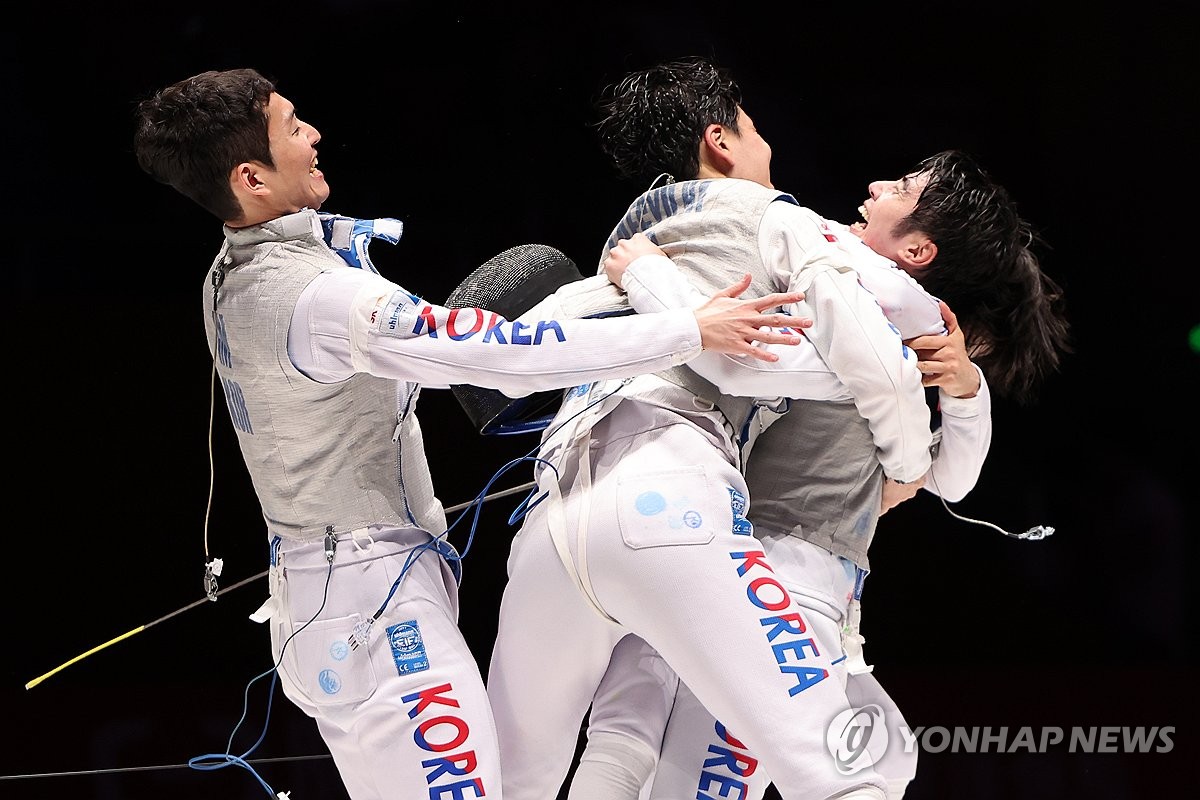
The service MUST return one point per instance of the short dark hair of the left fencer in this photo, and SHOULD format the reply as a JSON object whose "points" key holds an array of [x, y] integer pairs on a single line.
{"points": [[194, 133]]}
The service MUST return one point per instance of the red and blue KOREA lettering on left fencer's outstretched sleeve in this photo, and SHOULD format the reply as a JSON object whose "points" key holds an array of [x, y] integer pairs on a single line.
{"points": [[406, 317]]}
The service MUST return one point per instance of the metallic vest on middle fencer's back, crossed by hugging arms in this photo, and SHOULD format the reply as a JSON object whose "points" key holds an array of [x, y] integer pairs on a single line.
{"points": [[710, 228]]}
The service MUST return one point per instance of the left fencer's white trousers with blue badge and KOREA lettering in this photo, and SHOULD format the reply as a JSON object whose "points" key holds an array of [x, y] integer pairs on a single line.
{"points": [[406, 690]]}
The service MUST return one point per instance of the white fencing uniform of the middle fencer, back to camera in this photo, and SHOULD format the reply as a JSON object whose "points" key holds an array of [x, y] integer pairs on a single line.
{"points": [[643, 528]]}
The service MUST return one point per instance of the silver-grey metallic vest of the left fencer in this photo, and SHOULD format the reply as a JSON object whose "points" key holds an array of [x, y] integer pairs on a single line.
{"points": [[322, 456]]}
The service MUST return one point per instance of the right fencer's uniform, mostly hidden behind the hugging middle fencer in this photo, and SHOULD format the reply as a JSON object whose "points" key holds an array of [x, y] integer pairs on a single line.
{"points": [[815, 484]]}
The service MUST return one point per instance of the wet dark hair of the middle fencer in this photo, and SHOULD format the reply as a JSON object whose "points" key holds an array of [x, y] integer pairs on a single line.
{"points": [[653, 121]]}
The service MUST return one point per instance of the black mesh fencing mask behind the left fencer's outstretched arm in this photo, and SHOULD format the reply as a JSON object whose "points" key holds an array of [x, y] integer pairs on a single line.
{"points": [[512, 284]]}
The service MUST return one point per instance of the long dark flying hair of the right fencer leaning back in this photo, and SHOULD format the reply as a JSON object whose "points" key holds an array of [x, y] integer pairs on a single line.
{"points": [[1011, 312]]}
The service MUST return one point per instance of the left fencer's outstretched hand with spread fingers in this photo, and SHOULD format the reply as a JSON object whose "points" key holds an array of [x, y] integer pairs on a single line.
{"points": [[731, 326]]}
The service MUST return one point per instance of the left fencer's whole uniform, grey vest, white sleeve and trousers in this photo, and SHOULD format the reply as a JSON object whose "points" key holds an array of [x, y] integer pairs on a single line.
{"points": [[322, 366]]}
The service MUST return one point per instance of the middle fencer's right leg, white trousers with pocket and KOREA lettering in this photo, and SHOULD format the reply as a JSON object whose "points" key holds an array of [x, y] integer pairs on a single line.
{"points": [[689, 579]]}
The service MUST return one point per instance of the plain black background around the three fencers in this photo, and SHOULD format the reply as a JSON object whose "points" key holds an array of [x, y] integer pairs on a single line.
{"points": [[473, 127]]}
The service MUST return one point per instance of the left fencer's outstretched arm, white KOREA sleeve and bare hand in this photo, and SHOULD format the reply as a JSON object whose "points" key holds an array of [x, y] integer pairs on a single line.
{"points": [[352, 321]]}
